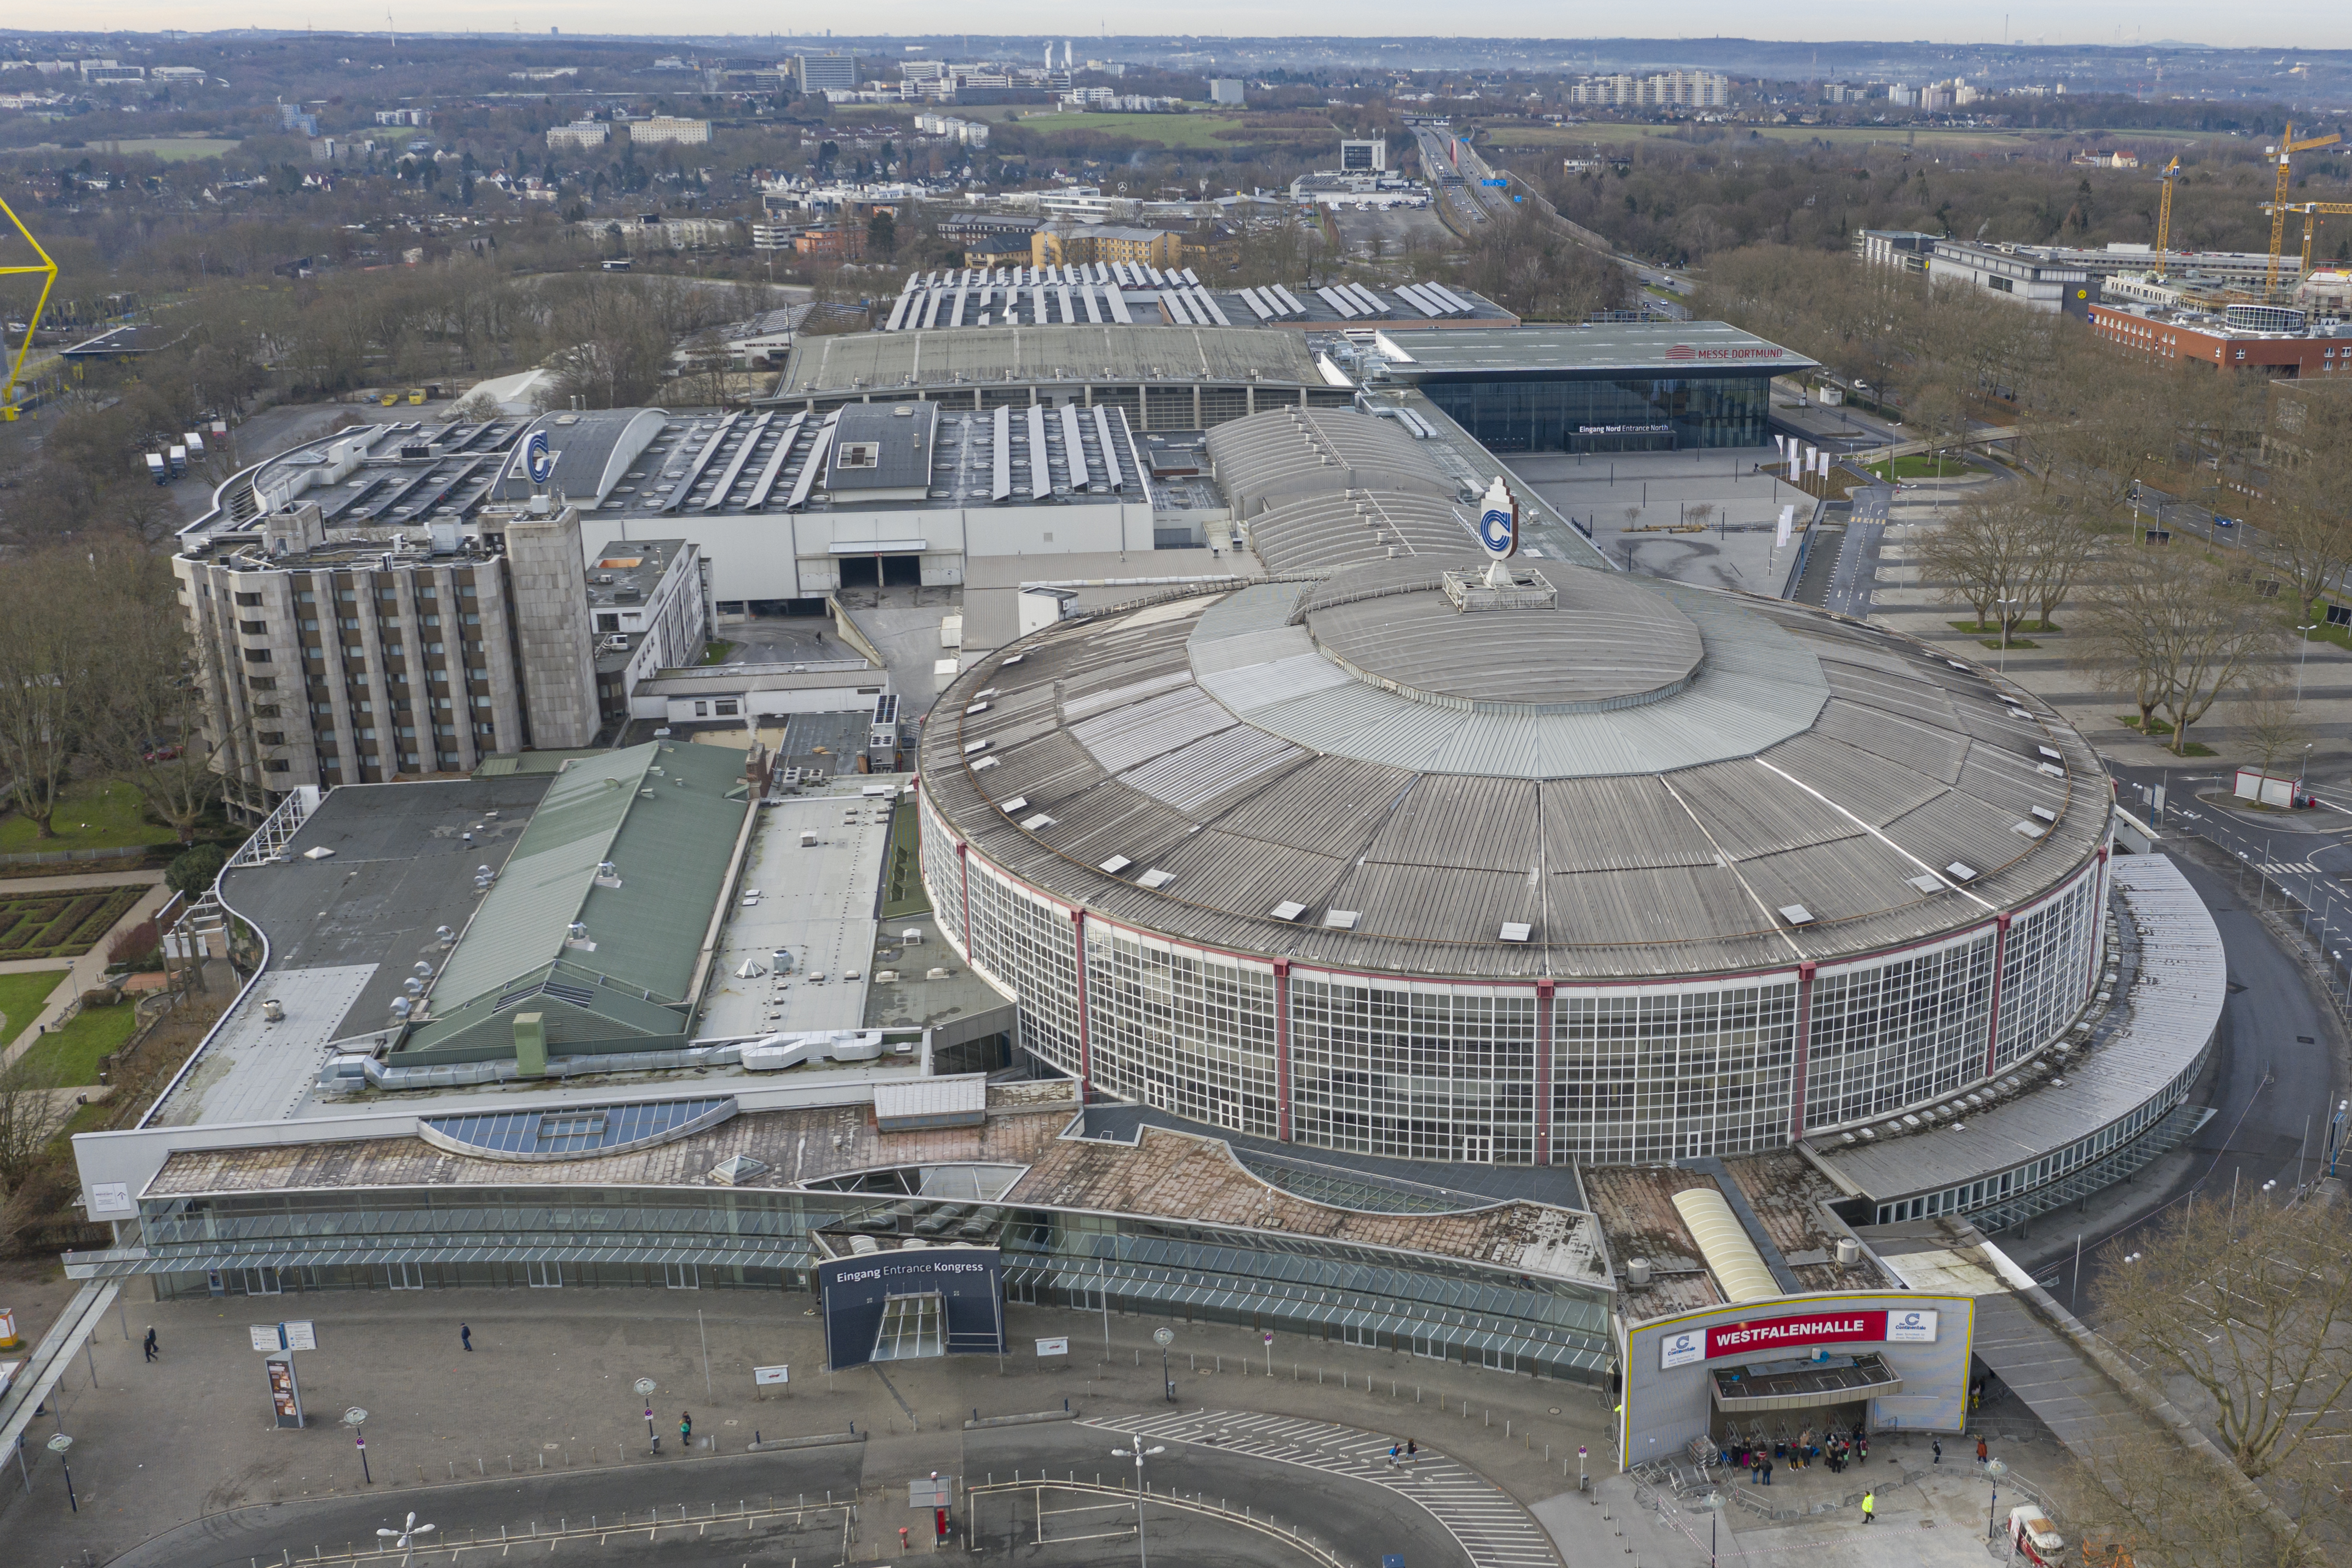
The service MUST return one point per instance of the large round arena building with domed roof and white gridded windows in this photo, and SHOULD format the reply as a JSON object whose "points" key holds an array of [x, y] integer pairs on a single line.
{"points": [[1589, 869]]}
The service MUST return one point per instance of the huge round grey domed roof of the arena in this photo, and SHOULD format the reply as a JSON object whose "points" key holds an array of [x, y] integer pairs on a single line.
{"points": [[1584, 775]]}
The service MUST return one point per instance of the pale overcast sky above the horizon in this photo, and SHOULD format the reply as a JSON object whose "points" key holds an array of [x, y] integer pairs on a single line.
{"points": [[2104, 22]]}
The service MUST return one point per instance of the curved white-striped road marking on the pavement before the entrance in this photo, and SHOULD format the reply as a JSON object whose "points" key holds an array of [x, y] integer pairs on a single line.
{"points": [[1490, 1527]]}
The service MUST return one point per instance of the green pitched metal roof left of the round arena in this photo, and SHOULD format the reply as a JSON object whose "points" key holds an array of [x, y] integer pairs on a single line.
{"points": [[667, 819]]}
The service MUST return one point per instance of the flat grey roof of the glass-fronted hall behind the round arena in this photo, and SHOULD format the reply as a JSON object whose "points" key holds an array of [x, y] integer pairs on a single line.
{"points": [[1608, 349]]}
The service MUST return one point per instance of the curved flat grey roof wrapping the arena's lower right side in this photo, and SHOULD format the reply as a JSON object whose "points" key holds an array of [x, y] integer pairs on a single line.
{"points": [[2149, 1038]]}
